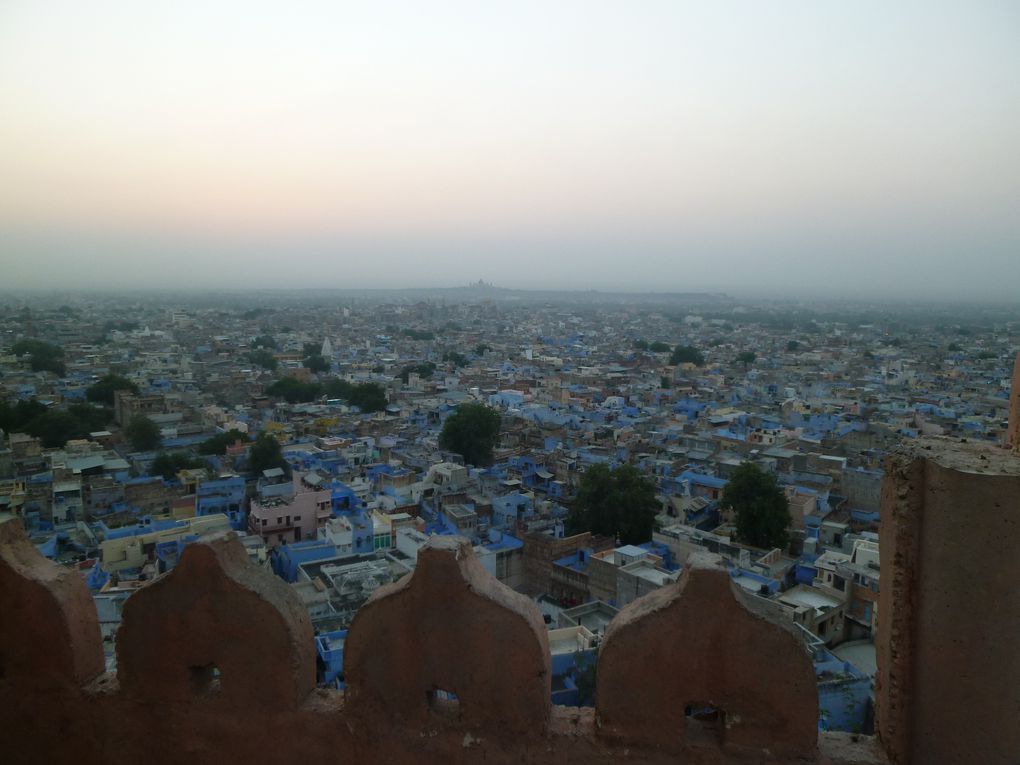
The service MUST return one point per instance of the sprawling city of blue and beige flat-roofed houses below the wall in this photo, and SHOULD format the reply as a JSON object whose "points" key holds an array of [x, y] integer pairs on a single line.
{"points": [[586, 447]]}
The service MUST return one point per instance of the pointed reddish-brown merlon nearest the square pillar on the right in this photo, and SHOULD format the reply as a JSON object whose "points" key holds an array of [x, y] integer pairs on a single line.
{"points": [[697, 644]]}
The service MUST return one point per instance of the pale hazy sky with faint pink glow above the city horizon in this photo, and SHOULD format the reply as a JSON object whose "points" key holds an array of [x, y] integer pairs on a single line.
{"points": [[843, 146]]}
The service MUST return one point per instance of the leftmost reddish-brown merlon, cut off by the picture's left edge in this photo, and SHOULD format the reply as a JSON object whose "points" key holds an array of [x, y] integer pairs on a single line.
{"points": [[49, 634]]}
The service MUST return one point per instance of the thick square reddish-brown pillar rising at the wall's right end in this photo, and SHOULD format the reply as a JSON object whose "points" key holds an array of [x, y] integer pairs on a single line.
{"points": [[949, 617]]}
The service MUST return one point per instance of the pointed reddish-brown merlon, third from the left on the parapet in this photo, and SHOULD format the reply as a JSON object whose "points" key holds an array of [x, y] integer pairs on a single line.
{"points": [[450, 627]]}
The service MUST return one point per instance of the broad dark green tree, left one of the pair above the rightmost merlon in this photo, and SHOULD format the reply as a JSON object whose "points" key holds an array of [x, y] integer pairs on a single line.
{"points": [[619, 502]]}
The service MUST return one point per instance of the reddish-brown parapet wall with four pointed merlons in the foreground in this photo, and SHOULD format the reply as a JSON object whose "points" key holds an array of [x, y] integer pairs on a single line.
{"points": [[451, 627]]}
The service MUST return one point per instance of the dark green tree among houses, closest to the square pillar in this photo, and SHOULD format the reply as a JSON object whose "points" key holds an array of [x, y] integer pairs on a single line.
{"points": [[761, 507]]}
